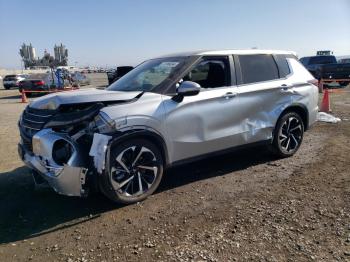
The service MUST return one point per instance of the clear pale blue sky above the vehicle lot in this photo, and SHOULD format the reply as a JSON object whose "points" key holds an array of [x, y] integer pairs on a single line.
{"points": [[115, 32]]}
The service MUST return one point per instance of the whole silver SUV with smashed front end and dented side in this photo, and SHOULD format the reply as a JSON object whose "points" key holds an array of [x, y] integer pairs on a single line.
{"points": [[166, 111]]}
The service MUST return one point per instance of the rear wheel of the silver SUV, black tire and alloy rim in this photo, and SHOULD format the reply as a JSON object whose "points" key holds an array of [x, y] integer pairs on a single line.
{"points": [[288, 135]]}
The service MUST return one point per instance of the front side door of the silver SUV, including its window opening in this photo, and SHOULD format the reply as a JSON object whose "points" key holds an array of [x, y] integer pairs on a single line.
{"points": [[203, 123]]}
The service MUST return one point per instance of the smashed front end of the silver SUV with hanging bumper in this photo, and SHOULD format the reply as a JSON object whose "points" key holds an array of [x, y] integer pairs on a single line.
{"points": [[56, 145]]}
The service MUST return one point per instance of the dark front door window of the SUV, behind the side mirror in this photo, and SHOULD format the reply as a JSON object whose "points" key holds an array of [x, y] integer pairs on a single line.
{"points": [[210, 73]]}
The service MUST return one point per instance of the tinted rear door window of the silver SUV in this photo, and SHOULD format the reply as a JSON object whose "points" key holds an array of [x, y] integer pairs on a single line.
{"points": [[257, 68]]}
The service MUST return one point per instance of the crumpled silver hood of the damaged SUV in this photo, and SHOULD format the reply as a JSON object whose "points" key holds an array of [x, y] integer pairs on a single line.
{"points": [[53, 101]]}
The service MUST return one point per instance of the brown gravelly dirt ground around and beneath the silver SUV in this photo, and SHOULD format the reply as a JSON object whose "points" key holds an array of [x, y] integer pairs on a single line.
{"points": [[243, 206]]}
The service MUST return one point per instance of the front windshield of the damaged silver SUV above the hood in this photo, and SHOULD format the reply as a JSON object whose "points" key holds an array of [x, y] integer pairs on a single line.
{"points": [[150, 75]]}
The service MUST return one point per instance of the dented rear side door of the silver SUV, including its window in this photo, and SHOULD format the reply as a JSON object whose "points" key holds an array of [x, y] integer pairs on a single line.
{"points": [[264, 92]]}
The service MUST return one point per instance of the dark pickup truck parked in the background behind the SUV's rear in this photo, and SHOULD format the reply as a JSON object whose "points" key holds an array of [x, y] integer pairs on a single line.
{"points": [[327, 67]]}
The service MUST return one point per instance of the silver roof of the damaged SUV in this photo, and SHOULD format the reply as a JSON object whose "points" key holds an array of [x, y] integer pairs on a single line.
{"points": [[229, 52]]}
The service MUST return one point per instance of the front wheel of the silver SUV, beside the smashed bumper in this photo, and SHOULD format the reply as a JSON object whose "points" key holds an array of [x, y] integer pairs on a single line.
{"points": [[120, 181]]}
